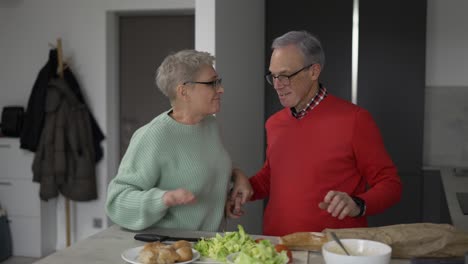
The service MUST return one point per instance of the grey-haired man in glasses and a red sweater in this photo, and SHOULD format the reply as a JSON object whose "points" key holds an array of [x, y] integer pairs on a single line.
{"points": [[326, 165]]}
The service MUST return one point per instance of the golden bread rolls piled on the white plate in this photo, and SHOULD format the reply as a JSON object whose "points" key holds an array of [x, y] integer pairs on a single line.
{"points": [[159, 253]]}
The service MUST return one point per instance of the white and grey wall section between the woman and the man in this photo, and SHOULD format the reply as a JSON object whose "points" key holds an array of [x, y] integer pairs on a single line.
{"points": [[239, 47]]}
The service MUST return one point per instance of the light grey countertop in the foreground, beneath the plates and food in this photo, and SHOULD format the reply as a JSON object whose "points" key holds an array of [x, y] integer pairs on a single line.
{"points": [[107, 246]]}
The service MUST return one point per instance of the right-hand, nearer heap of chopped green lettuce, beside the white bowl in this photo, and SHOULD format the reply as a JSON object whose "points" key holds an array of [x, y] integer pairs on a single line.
{"points": [[261, 253]]}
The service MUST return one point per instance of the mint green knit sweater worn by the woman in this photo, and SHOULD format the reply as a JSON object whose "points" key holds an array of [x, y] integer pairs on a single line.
{"points": [[165, 155]]}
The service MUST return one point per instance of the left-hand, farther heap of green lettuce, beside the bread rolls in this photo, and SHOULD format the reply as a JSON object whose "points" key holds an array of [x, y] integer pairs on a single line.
{"points": [[219, 247]]}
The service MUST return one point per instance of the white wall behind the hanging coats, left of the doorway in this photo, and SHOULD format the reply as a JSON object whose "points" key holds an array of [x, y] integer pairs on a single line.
{"points": [[26, 29]]}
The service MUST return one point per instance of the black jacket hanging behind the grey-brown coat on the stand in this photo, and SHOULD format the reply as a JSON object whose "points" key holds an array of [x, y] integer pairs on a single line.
{"points": [[34, 119]]}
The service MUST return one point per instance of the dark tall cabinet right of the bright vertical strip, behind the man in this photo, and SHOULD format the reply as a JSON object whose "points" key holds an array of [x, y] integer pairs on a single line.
{"points": [[391, 81]]}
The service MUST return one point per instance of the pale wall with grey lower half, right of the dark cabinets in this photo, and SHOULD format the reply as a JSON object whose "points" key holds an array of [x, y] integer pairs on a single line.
{"points": [[446, 110]]}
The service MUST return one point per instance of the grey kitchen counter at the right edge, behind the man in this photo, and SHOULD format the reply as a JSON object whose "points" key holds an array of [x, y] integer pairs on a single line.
{"points": [[452, 185]]}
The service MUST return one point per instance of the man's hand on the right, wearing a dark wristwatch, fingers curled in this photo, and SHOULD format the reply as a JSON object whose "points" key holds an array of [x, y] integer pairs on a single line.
{"points": [[339, 204]]}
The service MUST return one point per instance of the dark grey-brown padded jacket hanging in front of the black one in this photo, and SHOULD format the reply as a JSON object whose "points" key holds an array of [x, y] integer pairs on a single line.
{"points": [[65, 158]]}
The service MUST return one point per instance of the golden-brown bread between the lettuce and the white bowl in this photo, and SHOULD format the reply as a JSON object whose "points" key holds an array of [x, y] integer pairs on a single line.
{"points": [[304, 241]]}
